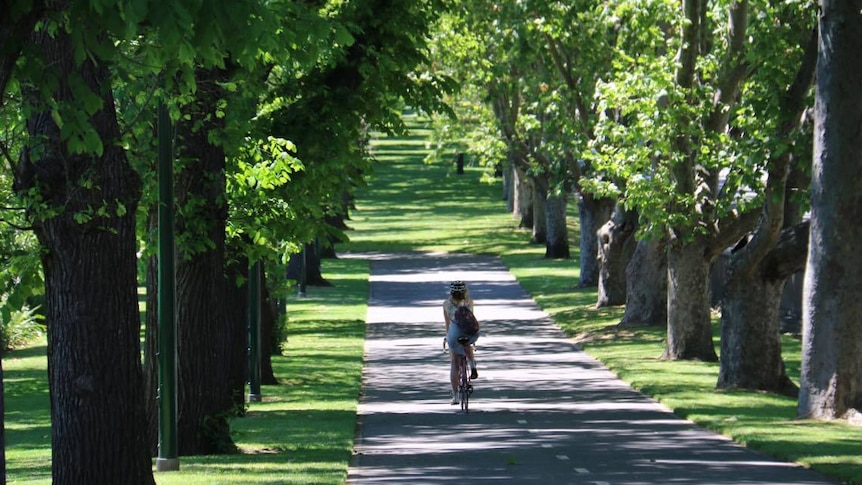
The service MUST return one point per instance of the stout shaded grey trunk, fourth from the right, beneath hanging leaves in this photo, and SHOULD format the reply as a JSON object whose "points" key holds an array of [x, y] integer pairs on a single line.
{"points": [[646, 285]]}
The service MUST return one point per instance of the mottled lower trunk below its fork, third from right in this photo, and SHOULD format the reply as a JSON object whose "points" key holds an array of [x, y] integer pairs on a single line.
{"points": [[689, 328]]}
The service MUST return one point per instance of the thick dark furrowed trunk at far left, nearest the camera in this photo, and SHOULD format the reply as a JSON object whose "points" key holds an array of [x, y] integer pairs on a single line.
{"points": [[98, 423]]}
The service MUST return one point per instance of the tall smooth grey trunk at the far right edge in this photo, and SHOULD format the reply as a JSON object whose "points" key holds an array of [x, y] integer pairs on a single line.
{"points": [[831, 381]]}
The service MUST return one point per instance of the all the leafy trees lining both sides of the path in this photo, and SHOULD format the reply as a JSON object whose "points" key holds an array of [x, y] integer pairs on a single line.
{"points": [[680, 130]]}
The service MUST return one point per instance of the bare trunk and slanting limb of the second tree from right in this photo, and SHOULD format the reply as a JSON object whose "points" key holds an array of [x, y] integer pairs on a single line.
{"points": [[757, 273]]}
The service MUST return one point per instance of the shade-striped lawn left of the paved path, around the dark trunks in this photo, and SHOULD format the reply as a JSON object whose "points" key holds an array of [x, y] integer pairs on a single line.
{"points": [[301, 433]]}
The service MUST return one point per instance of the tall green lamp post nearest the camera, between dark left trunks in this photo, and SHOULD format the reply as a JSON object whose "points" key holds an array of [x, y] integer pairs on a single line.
{"points": [[167, 459]]}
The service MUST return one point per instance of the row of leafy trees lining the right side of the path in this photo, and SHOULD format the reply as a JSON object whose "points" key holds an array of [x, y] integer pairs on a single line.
{"points": [[684, 133]]}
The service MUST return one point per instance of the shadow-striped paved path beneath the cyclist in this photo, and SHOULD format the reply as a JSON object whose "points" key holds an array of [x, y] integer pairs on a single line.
{"points": [[542, 412]]}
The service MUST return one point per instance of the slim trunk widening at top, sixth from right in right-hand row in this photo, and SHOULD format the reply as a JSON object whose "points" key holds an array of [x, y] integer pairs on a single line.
{"points": [[592, 214]]}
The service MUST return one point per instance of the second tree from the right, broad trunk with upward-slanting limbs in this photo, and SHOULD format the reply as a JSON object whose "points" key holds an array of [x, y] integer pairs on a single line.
{"points": [[757, 271]]}
